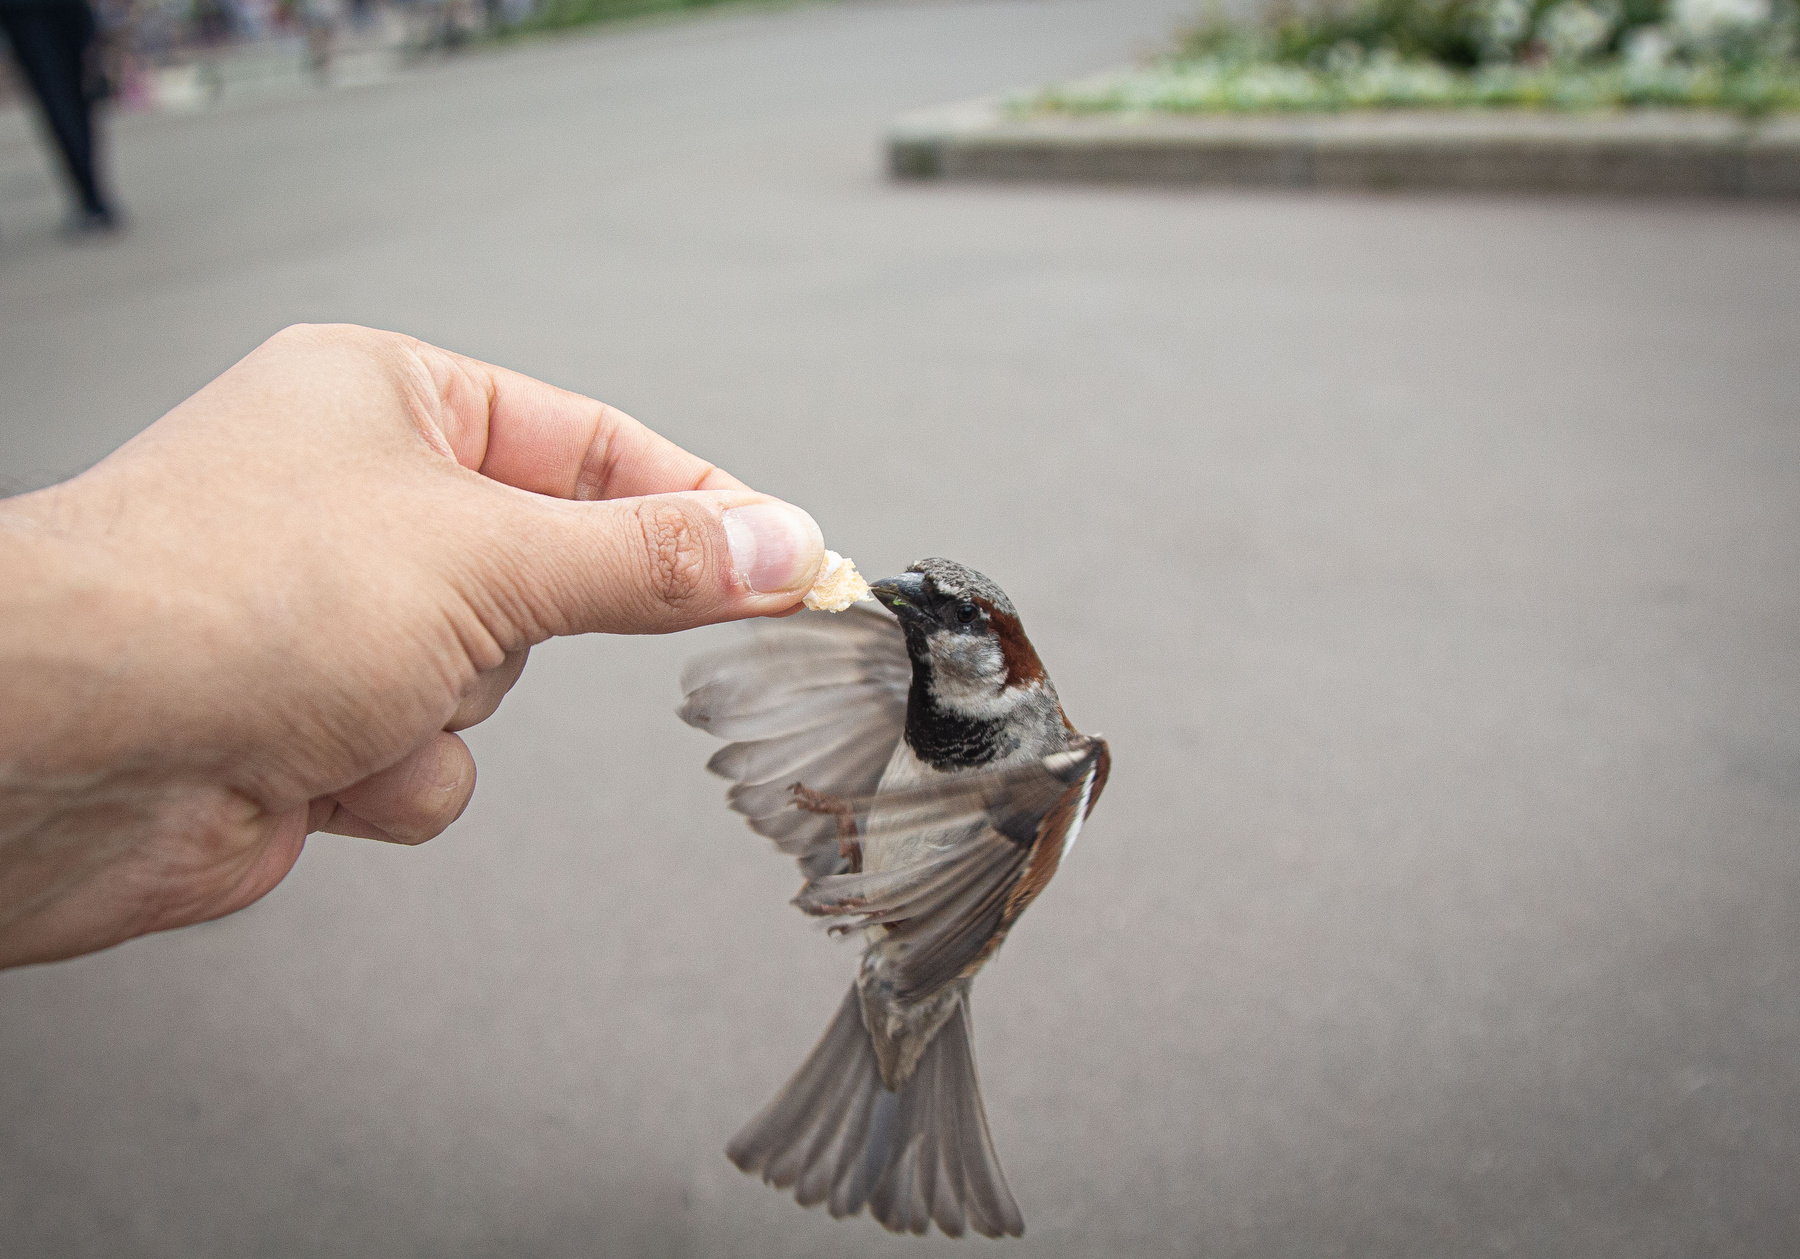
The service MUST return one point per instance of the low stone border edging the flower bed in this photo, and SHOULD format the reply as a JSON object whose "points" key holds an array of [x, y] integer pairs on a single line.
{"points": [[1637, 152]]}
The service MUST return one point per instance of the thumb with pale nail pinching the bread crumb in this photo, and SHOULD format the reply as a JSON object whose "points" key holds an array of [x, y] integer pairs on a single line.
{"points": [[658, 563]]}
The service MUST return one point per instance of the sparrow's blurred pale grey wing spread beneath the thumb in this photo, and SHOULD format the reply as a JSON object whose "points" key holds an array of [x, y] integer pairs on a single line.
{"points": [[814, 698]]}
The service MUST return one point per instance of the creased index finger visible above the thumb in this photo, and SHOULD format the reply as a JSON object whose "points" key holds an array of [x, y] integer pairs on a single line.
{"points": [[548, 440]]}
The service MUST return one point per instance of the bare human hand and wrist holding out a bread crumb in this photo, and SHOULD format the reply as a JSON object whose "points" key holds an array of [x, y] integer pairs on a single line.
{"points": [[271, 613]]}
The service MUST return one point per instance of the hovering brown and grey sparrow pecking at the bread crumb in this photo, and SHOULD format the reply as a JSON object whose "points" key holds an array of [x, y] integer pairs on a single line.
{"points": [[915, 759]]}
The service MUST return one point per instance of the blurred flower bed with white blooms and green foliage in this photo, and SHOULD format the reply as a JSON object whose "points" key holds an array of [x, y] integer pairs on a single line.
{"points": [[1561, 55]]}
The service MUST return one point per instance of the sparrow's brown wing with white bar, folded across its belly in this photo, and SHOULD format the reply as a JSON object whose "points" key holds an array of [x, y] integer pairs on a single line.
{"points": [[953, 909]]}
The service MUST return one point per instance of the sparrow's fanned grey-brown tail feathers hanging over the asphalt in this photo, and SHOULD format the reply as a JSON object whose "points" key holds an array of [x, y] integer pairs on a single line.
{"points": [[913, 1157]]}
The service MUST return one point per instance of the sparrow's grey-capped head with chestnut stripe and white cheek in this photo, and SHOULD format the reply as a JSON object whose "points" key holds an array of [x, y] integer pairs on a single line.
{"points": [[966, 640]]}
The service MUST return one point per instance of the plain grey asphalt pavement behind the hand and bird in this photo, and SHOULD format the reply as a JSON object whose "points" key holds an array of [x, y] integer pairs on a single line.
{"points": [[1430, 563]]}
